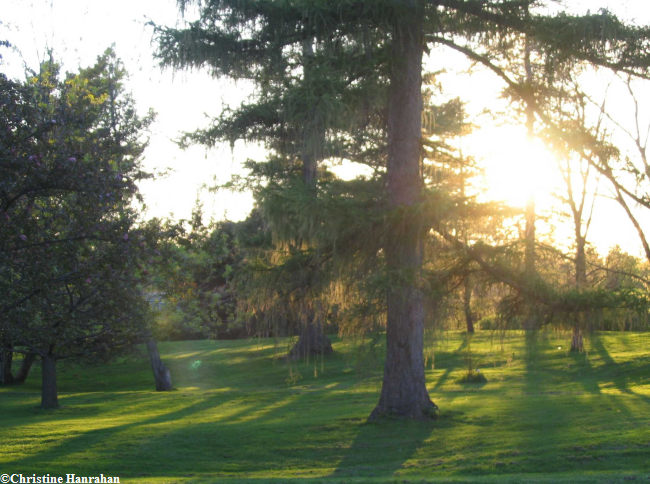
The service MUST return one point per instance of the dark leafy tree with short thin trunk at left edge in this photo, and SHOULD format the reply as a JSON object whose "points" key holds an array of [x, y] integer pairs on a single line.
{"points": [[70, 247]]}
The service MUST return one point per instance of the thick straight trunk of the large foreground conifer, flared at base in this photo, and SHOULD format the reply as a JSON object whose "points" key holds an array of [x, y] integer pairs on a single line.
{"points": [[404, 391]]}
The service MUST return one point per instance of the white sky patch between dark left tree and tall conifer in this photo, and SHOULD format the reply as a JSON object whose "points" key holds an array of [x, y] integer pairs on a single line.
{"points": [[78, 31]]}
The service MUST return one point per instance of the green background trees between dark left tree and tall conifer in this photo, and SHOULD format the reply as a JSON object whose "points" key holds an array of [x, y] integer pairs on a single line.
{"points": [[195, 278]]}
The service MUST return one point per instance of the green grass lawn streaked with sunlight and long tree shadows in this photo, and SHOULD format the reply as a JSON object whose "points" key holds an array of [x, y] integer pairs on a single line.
{"points": [[241, 413]]}
